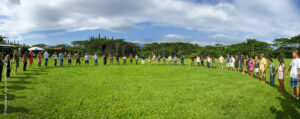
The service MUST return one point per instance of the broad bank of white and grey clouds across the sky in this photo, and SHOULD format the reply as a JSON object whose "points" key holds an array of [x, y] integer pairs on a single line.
{"points": [[260, 18]]}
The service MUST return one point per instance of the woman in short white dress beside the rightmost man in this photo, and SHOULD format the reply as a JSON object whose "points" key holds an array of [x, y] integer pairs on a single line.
{"points": [[281, 70]]}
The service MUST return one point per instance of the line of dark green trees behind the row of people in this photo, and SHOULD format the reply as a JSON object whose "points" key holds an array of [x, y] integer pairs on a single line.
{"points": [[102, 45]]}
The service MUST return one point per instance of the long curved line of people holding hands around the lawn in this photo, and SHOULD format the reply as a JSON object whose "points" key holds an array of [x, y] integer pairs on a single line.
{"points": [[257, 65]]}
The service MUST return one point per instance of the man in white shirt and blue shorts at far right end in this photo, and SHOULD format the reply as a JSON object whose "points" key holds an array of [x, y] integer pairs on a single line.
{"points": [[295, 74]]}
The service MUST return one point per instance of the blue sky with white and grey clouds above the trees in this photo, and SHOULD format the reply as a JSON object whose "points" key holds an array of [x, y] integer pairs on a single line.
{"points": [[202, 22]]}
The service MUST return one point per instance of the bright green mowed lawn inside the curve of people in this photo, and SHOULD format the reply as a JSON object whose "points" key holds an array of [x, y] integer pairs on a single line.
{"points": [[143, 91]]}
